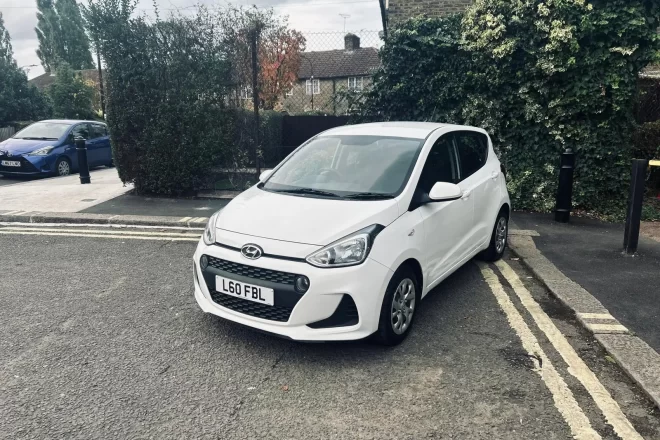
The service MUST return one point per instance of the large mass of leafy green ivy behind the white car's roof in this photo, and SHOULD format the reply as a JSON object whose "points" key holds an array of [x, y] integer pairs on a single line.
{"points": [[541, 76]]}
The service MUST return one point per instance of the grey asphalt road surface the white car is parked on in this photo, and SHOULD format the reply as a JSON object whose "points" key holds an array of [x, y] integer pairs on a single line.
{"points": [[102, 338]]}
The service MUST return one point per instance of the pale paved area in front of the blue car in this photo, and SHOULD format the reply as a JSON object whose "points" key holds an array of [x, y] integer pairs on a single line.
{"points": [[62, 194]]}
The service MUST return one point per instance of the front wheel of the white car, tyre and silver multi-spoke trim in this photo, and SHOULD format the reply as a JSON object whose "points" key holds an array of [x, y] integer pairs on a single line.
{"points": [[397, 313]]}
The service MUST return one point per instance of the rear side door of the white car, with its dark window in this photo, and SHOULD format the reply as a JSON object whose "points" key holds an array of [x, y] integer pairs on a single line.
{"points": [[480, 177]]}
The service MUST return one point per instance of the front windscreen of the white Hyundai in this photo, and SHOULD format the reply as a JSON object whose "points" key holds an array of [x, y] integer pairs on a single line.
{"points": [[352, 167]]}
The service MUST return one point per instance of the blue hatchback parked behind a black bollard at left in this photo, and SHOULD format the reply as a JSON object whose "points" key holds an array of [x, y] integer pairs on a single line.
{"points": [[48, 148]]}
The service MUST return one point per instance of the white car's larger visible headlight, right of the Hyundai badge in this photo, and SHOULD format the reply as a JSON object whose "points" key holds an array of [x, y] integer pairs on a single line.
{"points": [[349, 251]]}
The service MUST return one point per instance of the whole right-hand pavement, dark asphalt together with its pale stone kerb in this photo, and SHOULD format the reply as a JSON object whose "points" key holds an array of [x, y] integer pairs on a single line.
{"points": [[614, 296]]}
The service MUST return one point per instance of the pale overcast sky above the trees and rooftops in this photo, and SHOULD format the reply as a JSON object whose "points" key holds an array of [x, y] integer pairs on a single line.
{"points": [[307, 16]]}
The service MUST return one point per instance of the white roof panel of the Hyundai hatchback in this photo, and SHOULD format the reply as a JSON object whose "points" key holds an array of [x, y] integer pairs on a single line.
{"points": [[413, 130]]}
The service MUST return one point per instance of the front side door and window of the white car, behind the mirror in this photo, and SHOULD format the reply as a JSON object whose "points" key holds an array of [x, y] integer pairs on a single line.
{"points": [[446, 224]]}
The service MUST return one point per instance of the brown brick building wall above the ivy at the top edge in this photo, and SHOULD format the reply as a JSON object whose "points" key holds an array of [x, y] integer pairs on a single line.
{"points": [[399, 10]]}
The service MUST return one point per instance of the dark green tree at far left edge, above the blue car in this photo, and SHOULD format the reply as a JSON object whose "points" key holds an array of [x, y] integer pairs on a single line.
{"points": [[18, 100]]}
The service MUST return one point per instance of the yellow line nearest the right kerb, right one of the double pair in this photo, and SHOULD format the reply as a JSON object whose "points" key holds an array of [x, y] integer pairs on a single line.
{"points": [[576, 365]]}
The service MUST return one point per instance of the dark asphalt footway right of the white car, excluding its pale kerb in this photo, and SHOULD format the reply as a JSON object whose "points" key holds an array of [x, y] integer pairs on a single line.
{"points": [[589, 252]]}
